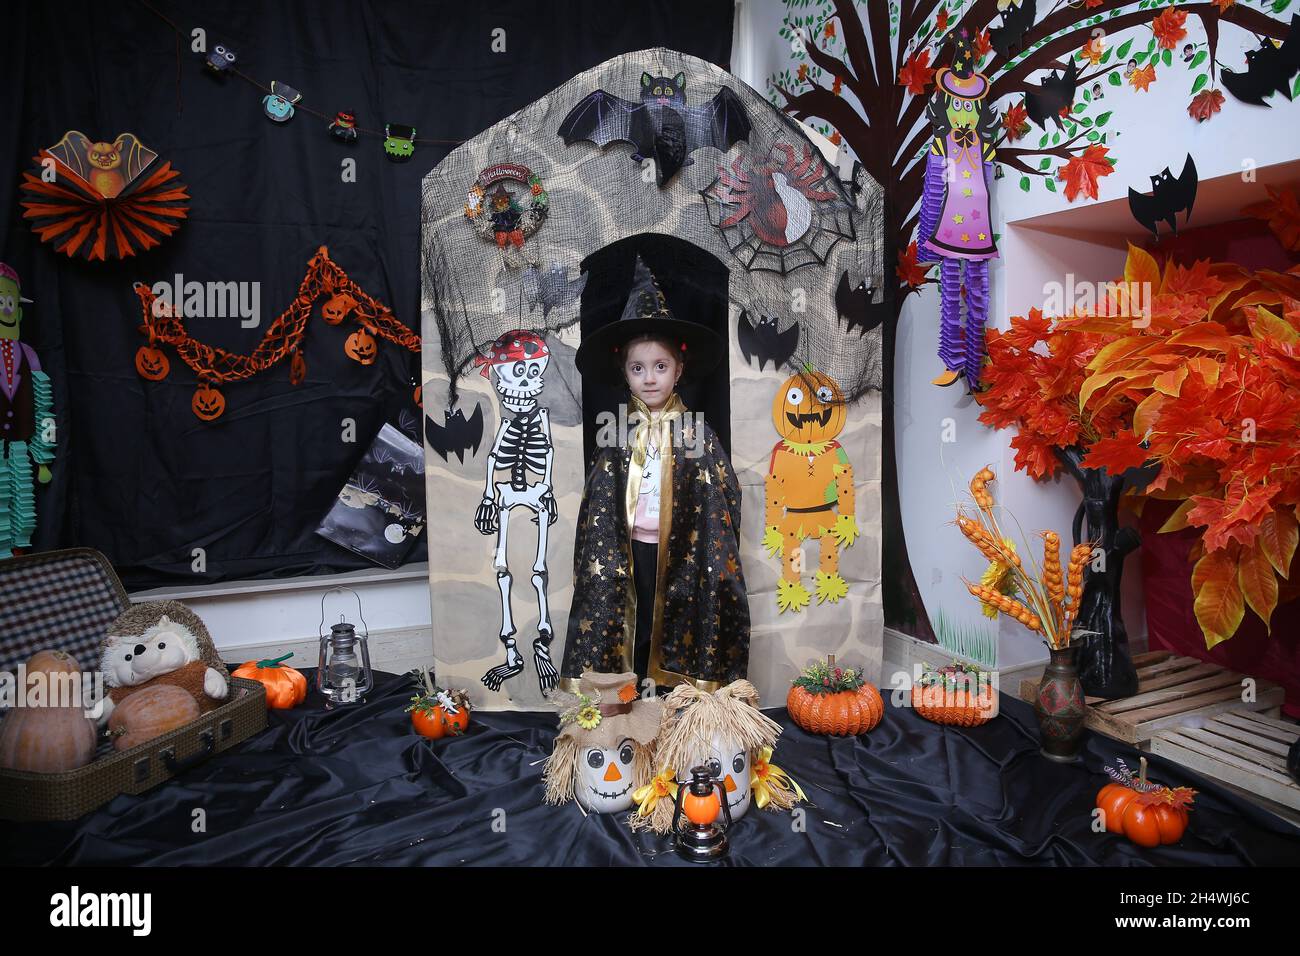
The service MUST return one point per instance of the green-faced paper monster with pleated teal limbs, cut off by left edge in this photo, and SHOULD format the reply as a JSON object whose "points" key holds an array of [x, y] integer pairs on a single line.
{"points": [[27, 422]]}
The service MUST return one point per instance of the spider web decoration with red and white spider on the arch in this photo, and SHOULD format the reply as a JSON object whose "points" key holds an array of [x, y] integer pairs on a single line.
{"points": [[781, 214]]}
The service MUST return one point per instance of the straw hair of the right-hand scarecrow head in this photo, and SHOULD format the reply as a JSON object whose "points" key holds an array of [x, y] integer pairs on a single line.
{"points": [[692, 719]]}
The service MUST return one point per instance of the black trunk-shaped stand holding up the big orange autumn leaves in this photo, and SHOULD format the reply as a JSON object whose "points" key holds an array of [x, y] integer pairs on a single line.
{"points": [[1104, 661]]}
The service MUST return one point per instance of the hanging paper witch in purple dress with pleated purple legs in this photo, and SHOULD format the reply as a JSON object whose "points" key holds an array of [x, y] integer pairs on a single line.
{"points": [[956, 227]]}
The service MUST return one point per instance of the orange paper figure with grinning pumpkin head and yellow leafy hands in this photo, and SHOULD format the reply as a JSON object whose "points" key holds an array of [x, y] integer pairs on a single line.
{"points": [[809, 488]]}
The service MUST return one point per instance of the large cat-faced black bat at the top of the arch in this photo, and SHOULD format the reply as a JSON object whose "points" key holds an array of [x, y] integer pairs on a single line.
{"points": [[662, 127]]}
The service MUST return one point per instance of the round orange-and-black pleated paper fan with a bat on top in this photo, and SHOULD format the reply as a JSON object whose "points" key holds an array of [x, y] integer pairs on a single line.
{"points": [[103, 201]]}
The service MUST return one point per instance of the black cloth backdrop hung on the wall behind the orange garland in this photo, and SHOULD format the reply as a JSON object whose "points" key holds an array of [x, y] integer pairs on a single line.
{"points": [[138, 477]]}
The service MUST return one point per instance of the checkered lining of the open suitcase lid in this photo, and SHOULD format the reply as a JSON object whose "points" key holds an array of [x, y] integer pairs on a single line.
{"points": [[66, 604]]}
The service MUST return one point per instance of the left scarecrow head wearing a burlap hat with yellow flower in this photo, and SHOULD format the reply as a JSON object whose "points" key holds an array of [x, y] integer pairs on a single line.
{"points": [[605, 749]]}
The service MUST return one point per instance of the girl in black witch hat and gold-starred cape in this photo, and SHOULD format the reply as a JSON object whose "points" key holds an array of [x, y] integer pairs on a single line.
{"points": [[658, 586]]}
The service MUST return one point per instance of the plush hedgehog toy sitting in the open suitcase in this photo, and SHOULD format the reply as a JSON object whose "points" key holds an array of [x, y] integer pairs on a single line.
{"points": [[162, 643]]}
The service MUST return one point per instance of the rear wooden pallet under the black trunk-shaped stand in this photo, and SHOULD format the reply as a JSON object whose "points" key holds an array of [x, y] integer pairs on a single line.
{"points": [[1173, 691]]}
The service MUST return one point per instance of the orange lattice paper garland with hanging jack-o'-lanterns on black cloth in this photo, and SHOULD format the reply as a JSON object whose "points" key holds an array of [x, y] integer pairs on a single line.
{"points": [[284, 339]]}
